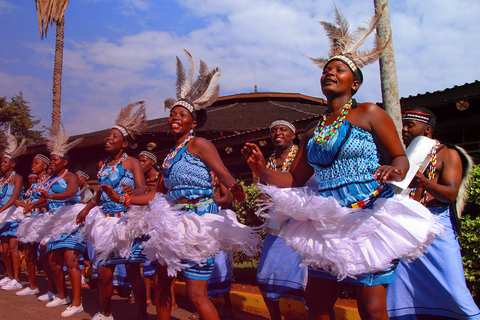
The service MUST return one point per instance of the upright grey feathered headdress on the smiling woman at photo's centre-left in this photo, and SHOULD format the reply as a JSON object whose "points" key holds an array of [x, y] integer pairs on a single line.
{"points": [[198, 94]]}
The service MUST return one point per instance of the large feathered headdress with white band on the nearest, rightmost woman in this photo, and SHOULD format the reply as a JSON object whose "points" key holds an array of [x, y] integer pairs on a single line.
{"points": [[344, 46]]}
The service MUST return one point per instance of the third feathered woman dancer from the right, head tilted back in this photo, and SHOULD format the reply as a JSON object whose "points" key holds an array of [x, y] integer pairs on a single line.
{"points": [[116, 173]]}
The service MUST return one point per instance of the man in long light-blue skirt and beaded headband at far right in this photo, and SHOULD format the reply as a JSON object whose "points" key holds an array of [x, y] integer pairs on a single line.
{"points": [[434, 285]]}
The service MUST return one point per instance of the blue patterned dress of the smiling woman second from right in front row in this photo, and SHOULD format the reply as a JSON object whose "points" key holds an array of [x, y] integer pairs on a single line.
{"points": [[189, 177]]}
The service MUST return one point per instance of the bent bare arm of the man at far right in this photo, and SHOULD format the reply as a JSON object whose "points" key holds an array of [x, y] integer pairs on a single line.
{"points": [[444, 188]]}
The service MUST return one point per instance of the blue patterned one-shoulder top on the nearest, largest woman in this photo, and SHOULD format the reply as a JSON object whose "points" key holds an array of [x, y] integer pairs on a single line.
{"points": [[344, 165]]}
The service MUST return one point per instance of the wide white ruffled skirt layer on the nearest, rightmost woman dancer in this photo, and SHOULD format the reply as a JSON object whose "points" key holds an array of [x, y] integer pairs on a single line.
{"points": [[348, 242]]}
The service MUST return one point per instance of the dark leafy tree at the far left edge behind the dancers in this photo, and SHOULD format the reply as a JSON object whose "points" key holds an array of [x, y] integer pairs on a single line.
{"points": [[16, 114]]}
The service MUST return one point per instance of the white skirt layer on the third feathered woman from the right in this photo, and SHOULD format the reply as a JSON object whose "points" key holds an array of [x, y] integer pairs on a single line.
{"points": [[113, 234]]}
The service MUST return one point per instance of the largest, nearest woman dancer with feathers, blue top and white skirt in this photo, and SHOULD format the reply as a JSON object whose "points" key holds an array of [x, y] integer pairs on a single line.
{"points": [[348, 230]]}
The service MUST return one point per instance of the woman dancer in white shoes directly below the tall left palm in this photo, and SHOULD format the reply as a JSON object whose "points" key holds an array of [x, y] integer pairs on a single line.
{"points": [[63, 239]]}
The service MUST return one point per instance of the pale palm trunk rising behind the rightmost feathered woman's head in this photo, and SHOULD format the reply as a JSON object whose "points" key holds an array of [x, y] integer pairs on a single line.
{"points": [[388, 72]]}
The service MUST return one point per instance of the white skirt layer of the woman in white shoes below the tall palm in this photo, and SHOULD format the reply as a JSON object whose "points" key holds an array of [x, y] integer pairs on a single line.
{"points": [[64, 220]]}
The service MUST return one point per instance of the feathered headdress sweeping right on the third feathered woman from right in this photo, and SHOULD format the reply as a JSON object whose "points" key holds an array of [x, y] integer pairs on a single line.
{"points": [[131, 124]]}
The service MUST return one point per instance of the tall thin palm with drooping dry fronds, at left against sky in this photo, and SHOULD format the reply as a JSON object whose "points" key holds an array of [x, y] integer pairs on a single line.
{"points": [[53, 12]]}
